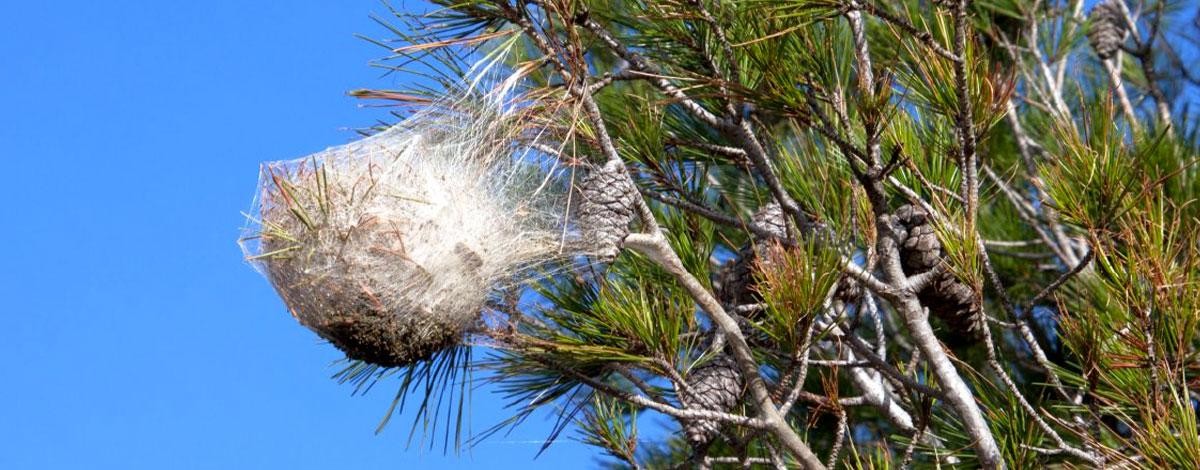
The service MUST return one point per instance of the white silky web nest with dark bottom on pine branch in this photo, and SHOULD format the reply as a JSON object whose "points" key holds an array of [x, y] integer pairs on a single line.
{"points": [[389, 246]]}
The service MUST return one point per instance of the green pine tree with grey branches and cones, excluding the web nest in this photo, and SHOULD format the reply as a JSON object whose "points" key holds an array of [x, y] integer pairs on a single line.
{"points": [[841, 233]]}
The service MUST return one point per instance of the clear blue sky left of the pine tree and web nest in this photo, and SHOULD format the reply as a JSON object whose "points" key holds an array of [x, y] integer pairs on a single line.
{"points": [[135, 336]]}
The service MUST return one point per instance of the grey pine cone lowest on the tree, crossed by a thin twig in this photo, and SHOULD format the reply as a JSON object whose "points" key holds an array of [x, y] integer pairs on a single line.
{"points": [[715, 387]]}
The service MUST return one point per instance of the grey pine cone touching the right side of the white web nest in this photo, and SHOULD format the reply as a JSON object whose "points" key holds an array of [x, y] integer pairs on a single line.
{"points": [[607, 209]]}
